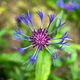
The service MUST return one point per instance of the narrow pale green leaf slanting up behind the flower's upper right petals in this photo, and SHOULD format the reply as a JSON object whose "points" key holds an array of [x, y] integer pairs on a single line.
{"points": [[55, 22]]}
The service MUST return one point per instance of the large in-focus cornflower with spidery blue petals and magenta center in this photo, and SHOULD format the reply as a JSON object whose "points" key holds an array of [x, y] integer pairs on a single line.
{"points": [[40, 38]]}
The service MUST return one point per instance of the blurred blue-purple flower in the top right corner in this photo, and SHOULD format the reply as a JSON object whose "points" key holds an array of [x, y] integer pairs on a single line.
{"points": [[70, 5]]}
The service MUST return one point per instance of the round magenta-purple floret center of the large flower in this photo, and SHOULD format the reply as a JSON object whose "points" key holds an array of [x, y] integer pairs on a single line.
{"points": [[39, 38]]}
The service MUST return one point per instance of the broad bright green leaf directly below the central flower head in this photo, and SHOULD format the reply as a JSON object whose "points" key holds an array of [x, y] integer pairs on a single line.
{"points": [[43, 65]]}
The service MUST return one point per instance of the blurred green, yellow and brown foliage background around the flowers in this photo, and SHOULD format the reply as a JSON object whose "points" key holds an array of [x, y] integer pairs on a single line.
{"points": [[11, 67]]}
